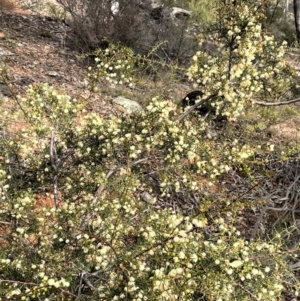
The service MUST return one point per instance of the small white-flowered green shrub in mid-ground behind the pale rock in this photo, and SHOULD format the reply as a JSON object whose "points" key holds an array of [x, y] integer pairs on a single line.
{"points": [[120, 65]]}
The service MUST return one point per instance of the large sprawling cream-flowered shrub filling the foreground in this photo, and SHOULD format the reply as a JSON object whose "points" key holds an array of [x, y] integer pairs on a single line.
{"points": [[102, 238]]}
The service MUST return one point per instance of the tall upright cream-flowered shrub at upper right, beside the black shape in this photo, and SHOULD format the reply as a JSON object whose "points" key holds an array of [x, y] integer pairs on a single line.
{"points": [[247, 64]]}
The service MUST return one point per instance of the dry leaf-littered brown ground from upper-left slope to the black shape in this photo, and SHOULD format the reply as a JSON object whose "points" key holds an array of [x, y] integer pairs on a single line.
{"points": [[36, 48]]}
